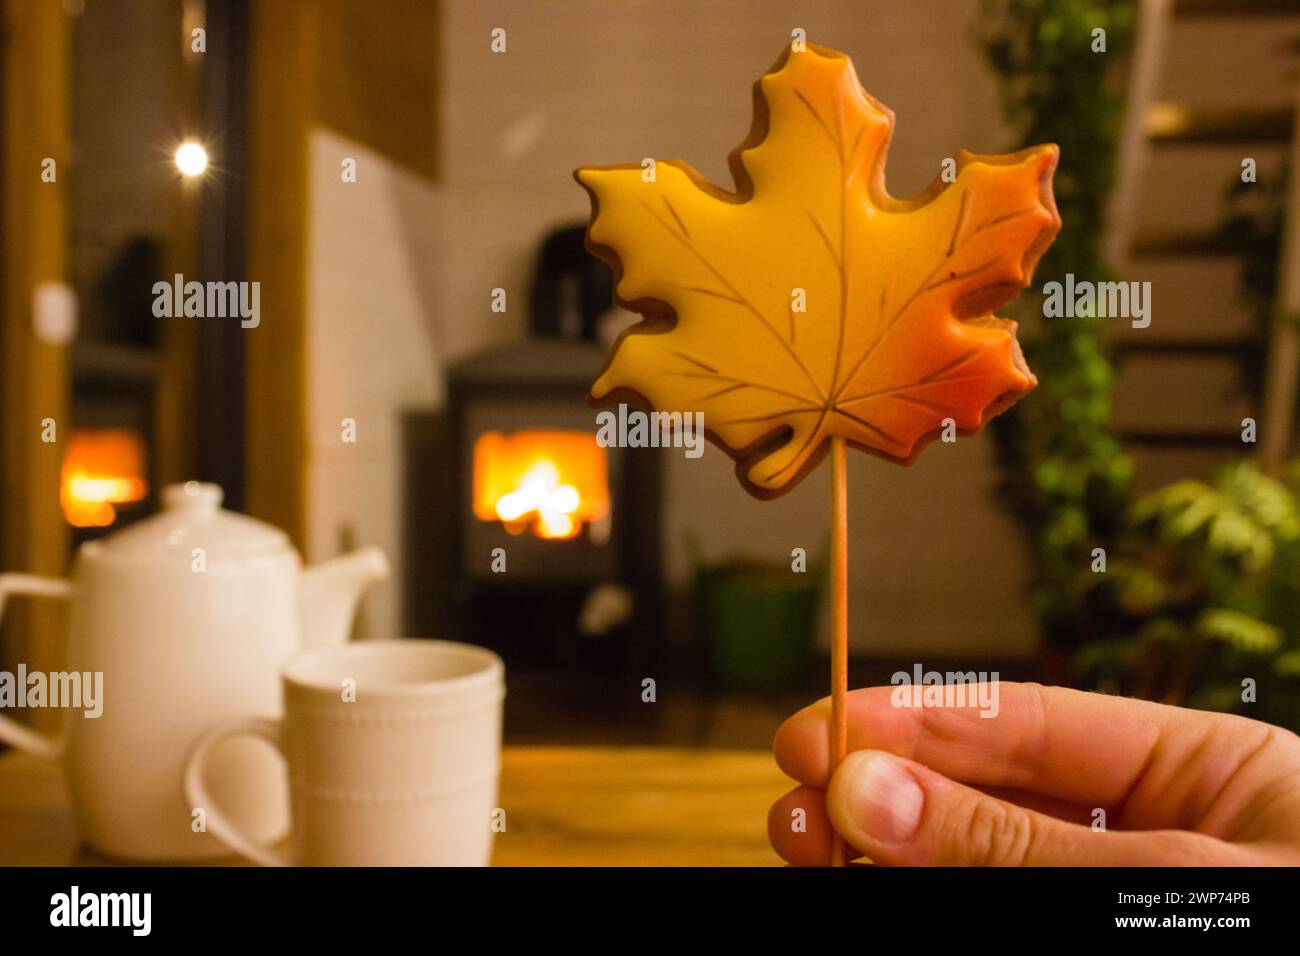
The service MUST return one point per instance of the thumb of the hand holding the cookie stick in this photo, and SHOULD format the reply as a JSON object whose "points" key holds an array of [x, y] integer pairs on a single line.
{"points": [[902, 814]]}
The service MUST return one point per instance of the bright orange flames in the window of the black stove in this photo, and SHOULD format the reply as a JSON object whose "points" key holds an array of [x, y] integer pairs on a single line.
{"points": [[551, 483]]}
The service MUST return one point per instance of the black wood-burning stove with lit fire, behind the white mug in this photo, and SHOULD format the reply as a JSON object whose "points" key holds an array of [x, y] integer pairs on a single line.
{"points": [[553, 539]]}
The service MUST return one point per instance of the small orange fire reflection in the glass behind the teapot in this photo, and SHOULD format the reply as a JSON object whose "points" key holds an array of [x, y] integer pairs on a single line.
{"points": [[103, 468]]}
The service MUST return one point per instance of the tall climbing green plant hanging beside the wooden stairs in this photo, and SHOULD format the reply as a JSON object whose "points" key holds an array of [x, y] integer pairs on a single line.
{"points": [[1065, 475]]}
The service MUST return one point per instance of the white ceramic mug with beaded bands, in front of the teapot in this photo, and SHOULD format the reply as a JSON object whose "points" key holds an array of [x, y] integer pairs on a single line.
{"points": [[393, 752]]}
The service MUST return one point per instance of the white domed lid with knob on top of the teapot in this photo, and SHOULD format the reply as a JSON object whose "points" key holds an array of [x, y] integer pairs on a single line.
{"points": [[193, 517]]}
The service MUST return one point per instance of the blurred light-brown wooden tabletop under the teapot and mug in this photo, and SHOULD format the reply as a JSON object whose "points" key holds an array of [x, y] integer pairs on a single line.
{"points": [[566, 807]]}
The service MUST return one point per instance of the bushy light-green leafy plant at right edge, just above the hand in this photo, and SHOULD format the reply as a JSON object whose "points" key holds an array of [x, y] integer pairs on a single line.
{"points": [[1206, 591]]}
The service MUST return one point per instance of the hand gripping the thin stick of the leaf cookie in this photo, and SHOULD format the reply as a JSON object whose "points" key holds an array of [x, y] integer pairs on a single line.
{"points": [[947, 788]]}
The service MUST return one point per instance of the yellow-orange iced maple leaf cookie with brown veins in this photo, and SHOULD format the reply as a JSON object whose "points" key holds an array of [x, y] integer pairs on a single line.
{"points": [[811, 304]]}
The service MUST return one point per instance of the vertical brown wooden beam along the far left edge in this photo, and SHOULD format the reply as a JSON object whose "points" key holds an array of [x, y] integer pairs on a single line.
{"points": [[33, 250]]}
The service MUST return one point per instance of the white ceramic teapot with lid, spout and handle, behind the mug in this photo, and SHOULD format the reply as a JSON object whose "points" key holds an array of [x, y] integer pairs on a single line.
{"points": [[189, 617]]}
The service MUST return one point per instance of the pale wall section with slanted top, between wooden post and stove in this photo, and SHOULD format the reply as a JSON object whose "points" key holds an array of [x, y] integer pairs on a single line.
{"points": [[371, 279]]}
